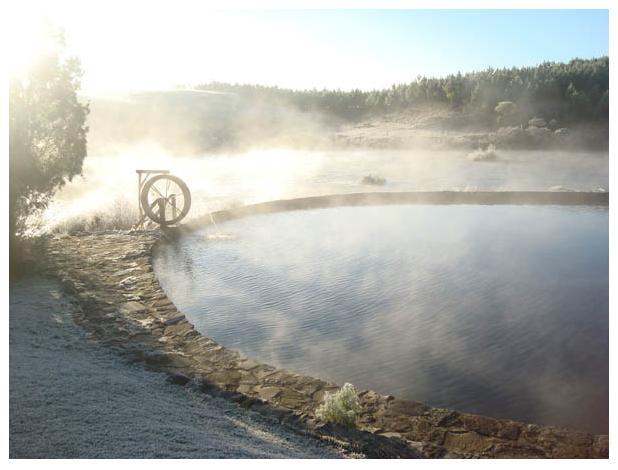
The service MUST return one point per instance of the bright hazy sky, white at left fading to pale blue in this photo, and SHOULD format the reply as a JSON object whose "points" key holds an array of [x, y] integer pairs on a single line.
{"points": [[143, 45]]}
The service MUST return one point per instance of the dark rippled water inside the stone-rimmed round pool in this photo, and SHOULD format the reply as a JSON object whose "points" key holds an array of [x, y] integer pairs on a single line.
{"points": [[497, 310]]}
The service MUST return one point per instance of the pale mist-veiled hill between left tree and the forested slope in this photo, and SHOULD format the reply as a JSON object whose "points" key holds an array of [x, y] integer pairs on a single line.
{"points": [[194, 121]]}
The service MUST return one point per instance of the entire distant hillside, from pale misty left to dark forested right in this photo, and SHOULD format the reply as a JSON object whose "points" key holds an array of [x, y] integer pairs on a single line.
{"points": [[220, 116]]}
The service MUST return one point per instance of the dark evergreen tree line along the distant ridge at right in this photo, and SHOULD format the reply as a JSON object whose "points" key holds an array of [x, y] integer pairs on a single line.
{"points": [[577, 91]]}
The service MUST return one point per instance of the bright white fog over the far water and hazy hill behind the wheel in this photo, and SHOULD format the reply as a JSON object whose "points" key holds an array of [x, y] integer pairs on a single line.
{"points": [[231, 151]]}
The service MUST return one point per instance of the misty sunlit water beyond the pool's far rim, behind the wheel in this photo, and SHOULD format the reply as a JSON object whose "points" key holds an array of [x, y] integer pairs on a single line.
{"points": [[220, 181]]}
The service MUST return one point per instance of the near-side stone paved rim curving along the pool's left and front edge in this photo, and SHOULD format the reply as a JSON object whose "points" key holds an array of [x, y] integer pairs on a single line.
{"points": [[121, 302]]}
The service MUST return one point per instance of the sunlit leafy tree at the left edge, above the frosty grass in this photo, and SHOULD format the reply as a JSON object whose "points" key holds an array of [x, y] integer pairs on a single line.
{"points": [[47, 133]]}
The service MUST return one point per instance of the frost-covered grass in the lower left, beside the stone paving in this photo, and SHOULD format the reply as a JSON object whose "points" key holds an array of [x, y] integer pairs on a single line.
{"points": [[70, 397]]}
